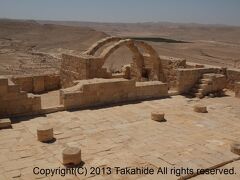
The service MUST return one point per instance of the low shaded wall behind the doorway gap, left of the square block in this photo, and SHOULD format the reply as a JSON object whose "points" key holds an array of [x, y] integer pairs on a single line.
{"points": [[37, 84]]}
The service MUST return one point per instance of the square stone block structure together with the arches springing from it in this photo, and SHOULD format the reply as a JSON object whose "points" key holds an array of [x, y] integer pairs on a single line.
{"points": [[88, 66]]}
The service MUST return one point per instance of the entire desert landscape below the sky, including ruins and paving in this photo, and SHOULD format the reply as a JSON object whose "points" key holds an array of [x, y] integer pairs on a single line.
{"points": [[90, 100]]}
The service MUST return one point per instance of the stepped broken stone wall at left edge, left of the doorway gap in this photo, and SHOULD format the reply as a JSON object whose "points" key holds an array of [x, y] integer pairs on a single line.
{"points": [[14, 102]]}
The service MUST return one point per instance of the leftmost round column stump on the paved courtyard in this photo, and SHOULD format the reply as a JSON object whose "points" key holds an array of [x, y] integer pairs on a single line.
{"points": [[45, 133]]}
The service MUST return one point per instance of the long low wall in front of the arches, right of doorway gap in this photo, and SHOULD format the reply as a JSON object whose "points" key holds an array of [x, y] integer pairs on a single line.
{"points": [[96, 92]]}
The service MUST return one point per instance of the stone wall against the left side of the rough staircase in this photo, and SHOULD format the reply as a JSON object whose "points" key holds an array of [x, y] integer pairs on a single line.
{"points": [[187, 78]]}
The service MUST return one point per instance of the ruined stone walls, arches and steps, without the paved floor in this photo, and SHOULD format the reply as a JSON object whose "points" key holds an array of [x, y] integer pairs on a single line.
{"points": [[83, 81]]}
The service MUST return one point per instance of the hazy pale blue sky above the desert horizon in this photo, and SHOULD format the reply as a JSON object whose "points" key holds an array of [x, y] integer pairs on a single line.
{"points": [[197, 11]]}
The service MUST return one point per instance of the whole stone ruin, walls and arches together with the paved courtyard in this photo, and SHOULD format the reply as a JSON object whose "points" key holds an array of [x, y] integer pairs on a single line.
{"points": [[157, 106]]}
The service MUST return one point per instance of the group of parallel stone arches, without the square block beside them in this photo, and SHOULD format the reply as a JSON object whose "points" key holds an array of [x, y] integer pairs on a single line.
{"points": [[138, 68]]}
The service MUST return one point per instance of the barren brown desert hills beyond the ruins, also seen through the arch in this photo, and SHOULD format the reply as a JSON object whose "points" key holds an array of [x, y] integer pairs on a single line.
{"points": [[30, 47]]}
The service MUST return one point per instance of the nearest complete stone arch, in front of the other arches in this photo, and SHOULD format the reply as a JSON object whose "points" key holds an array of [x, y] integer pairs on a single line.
{"points": [[137, 57]]}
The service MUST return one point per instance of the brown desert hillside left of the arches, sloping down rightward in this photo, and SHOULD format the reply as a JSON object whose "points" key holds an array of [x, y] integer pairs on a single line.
{"points": [[27, 47]]}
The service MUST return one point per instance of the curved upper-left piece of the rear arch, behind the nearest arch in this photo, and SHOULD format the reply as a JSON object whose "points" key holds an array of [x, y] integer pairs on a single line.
{"points": [[93, 49]]}
